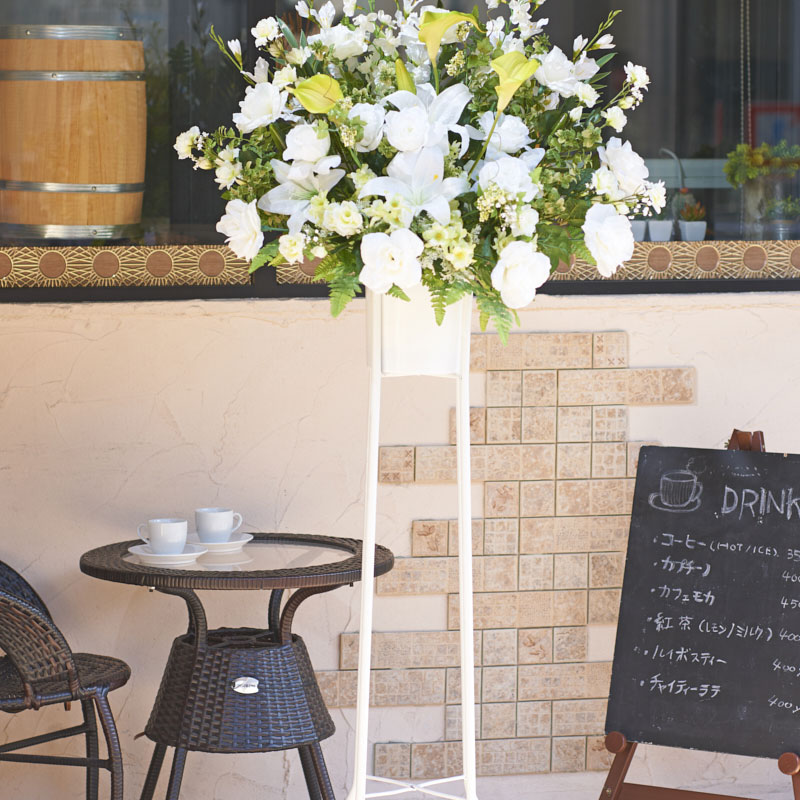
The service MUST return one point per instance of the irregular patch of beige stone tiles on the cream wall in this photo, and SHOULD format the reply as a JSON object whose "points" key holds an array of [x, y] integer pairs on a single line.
{"points": [[552, 450]]}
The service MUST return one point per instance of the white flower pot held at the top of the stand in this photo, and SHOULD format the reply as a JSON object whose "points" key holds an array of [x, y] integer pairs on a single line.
{"points": [[411, 343]]}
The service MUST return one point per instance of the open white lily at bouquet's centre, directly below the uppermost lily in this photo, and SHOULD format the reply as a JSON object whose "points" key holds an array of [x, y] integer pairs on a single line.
{"points": [[419, 179]]}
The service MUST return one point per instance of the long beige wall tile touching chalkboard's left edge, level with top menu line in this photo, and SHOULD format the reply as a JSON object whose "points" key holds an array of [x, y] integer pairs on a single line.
{"points": [[574, 534]]}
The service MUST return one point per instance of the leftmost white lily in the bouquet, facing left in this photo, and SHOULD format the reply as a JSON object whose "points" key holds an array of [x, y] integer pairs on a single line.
{"points": [[299, 183]]}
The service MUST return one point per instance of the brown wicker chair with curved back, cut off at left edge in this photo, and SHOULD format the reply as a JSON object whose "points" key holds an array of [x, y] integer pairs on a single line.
{"points": [[39, 669]]}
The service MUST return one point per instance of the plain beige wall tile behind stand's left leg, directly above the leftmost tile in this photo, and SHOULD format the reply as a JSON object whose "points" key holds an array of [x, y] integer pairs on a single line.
{"points": [[403, 649]]}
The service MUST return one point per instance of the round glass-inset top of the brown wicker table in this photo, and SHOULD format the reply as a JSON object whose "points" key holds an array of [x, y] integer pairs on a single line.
{"points": [[270, 561]]}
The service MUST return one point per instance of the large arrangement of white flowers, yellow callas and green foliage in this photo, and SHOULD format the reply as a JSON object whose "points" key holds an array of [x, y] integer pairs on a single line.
{"points": [[431, 147]]}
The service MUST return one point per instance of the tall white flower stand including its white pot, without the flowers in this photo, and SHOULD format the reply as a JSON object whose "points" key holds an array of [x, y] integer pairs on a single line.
{"points": [[403, 339]]}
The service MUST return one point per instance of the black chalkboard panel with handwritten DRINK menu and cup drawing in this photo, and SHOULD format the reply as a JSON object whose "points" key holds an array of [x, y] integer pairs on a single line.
{"points": [[708, 643]]}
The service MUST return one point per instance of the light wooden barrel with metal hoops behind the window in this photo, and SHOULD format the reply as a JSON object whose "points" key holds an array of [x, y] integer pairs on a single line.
{"points": [[72, 132]]}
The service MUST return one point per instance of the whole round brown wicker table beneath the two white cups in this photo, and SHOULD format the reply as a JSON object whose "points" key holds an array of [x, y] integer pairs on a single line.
{"points": [[197, 707]]}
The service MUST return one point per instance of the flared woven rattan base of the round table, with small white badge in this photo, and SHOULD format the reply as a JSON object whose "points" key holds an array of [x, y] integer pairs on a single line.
{"points": [[198, 709]]}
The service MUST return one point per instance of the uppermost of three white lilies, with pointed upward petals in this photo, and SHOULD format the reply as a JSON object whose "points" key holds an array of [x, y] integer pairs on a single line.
{"points": [[436, 114]]}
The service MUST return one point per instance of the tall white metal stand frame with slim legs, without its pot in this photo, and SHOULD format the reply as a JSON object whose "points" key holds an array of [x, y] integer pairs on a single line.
{"points": [[460, 372]]}
